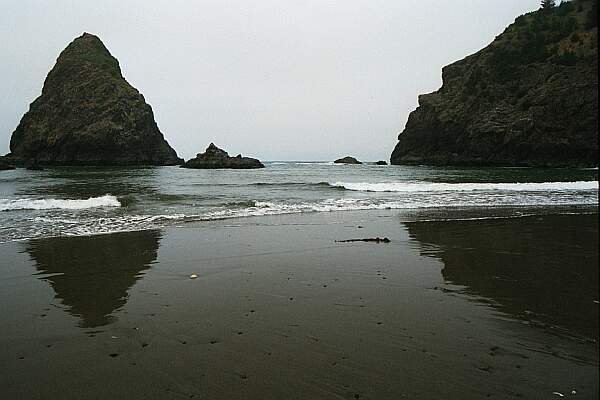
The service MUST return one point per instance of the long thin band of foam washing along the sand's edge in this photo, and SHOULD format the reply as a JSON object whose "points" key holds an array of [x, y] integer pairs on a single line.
{"points": [[57, 224]]}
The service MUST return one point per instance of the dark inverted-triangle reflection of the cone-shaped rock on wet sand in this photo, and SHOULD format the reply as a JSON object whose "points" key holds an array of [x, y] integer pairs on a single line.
{"points": [[92, 274]]}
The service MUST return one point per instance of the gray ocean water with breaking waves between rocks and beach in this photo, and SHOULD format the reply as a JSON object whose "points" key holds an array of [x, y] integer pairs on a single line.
{"points": [[85, 201]]}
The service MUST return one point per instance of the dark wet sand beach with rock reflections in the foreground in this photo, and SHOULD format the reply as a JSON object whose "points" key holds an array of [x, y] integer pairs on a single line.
{"points": [[501, 308]]}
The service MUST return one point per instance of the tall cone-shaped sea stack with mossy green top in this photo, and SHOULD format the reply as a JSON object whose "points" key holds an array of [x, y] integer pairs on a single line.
{"points": [[88, 114]]}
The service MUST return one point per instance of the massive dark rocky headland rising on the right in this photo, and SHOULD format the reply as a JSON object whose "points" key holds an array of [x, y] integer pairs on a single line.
{"points": [[530, 98]]}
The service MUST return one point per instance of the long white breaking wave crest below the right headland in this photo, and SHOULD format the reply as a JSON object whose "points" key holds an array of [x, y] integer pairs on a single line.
{"points": [[465, 187]]}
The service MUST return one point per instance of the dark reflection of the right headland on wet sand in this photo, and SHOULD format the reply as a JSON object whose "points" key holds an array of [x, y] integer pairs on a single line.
{"points": [[539, 268]]}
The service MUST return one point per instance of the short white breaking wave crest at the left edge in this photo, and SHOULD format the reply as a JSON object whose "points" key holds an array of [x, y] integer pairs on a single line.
{"points": [[64, 204]]}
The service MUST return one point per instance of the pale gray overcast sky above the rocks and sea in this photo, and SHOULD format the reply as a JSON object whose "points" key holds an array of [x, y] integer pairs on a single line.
{"points": [[274, 79]]}
